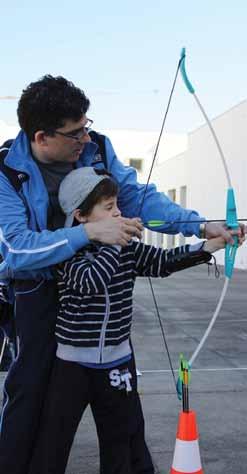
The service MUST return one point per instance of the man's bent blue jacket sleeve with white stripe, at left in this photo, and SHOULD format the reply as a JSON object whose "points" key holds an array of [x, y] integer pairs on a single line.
{"points": [[24, 249]]}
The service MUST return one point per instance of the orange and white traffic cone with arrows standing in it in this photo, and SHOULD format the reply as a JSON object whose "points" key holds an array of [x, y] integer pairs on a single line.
{"points": [[186, 458]]}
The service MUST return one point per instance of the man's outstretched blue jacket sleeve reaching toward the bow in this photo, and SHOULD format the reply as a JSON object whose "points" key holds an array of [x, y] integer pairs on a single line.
{"points": [[157, 206]]}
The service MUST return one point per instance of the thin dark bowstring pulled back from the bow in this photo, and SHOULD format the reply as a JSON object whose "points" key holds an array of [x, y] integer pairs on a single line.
{"points": [[139, 213]]}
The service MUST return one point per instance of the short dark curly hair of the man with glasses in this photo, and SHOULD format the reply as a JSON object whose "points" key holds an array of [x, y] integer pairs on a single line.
{"points": [[47, 103]]}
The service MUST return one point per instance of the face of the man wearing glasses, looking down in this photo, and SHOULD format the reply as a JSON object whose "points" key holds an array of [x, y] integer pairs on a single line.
{"points": [[67, 143]]}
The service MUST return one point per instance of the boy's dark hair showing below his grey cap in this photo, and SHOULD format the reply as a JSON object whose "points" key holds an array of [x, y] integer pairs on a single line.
{"points": [[105, 189]]}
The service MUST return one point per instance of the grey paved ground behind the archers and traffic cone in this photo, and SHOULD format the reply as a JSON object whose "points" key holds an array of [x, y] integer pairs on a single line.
{"points": [[218, 388]]}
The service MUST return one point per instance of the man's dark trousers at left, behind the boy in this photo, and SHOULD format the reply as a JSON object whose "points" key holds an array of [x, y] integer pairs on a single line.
{"points": [[27, 379]]}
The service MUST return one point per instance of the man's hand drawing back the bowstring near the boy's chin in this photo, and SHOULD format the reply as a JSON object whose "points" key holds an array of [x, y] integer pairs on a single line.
{"points": [[115, 230]]}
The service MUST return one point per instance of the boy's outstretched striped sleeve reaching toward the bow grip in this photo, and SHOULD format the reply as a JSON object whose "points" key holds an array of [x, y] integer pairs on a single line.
{"points": [[157, 262]]}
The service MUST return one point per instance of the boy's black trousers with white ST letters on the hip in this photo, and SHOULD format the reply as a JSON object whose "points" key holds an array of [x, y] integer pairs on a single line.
{"points": [[111, 398]]}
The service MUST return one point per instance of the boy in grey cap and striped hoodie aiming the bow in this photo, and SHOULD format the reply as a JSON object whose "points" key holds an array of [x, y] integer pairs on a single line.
{"points": [[93, 363]]}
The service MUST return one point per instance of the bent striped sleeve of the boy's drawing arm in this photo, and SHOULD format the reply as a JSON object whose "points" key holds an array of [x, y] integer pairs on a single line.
{"points": [[90, 277]]}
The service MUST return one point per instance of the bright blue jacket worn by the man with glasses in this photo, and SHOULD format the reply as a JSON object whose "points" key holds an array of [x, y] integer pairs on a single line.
{"points": [[30, 250]]}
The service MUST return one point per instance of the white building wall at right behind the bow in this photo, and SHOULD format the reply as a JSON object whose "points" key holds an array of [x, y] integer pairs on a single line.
{"points": [[200, 169]]}
